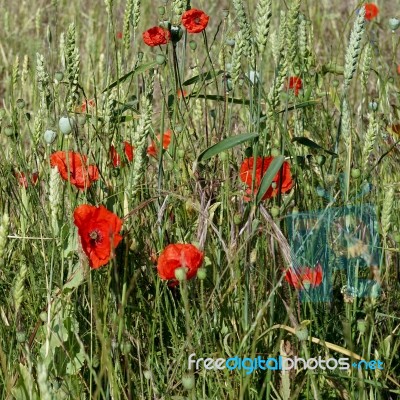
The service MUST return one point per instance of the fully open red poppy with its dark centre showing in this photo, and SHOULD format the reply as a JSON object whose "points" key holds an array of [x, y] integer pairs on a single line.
{"points": [[98, 230]]}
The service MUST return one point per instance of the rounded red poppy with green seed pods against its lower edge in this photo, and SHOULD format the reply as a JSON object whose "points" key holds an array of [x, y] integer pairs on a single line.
{"points": [[177, 256]]}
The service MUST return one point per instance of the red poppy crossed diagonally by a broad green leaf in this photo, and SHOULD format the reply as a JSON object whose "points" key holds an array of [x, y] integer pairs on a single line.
{"points": [[282, 180]]}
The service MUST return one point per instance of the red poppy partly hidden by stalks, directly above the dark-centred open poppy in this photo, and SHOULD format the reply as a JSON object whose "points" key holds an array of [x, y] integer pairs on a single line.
{"points": [[80, 175]]}
